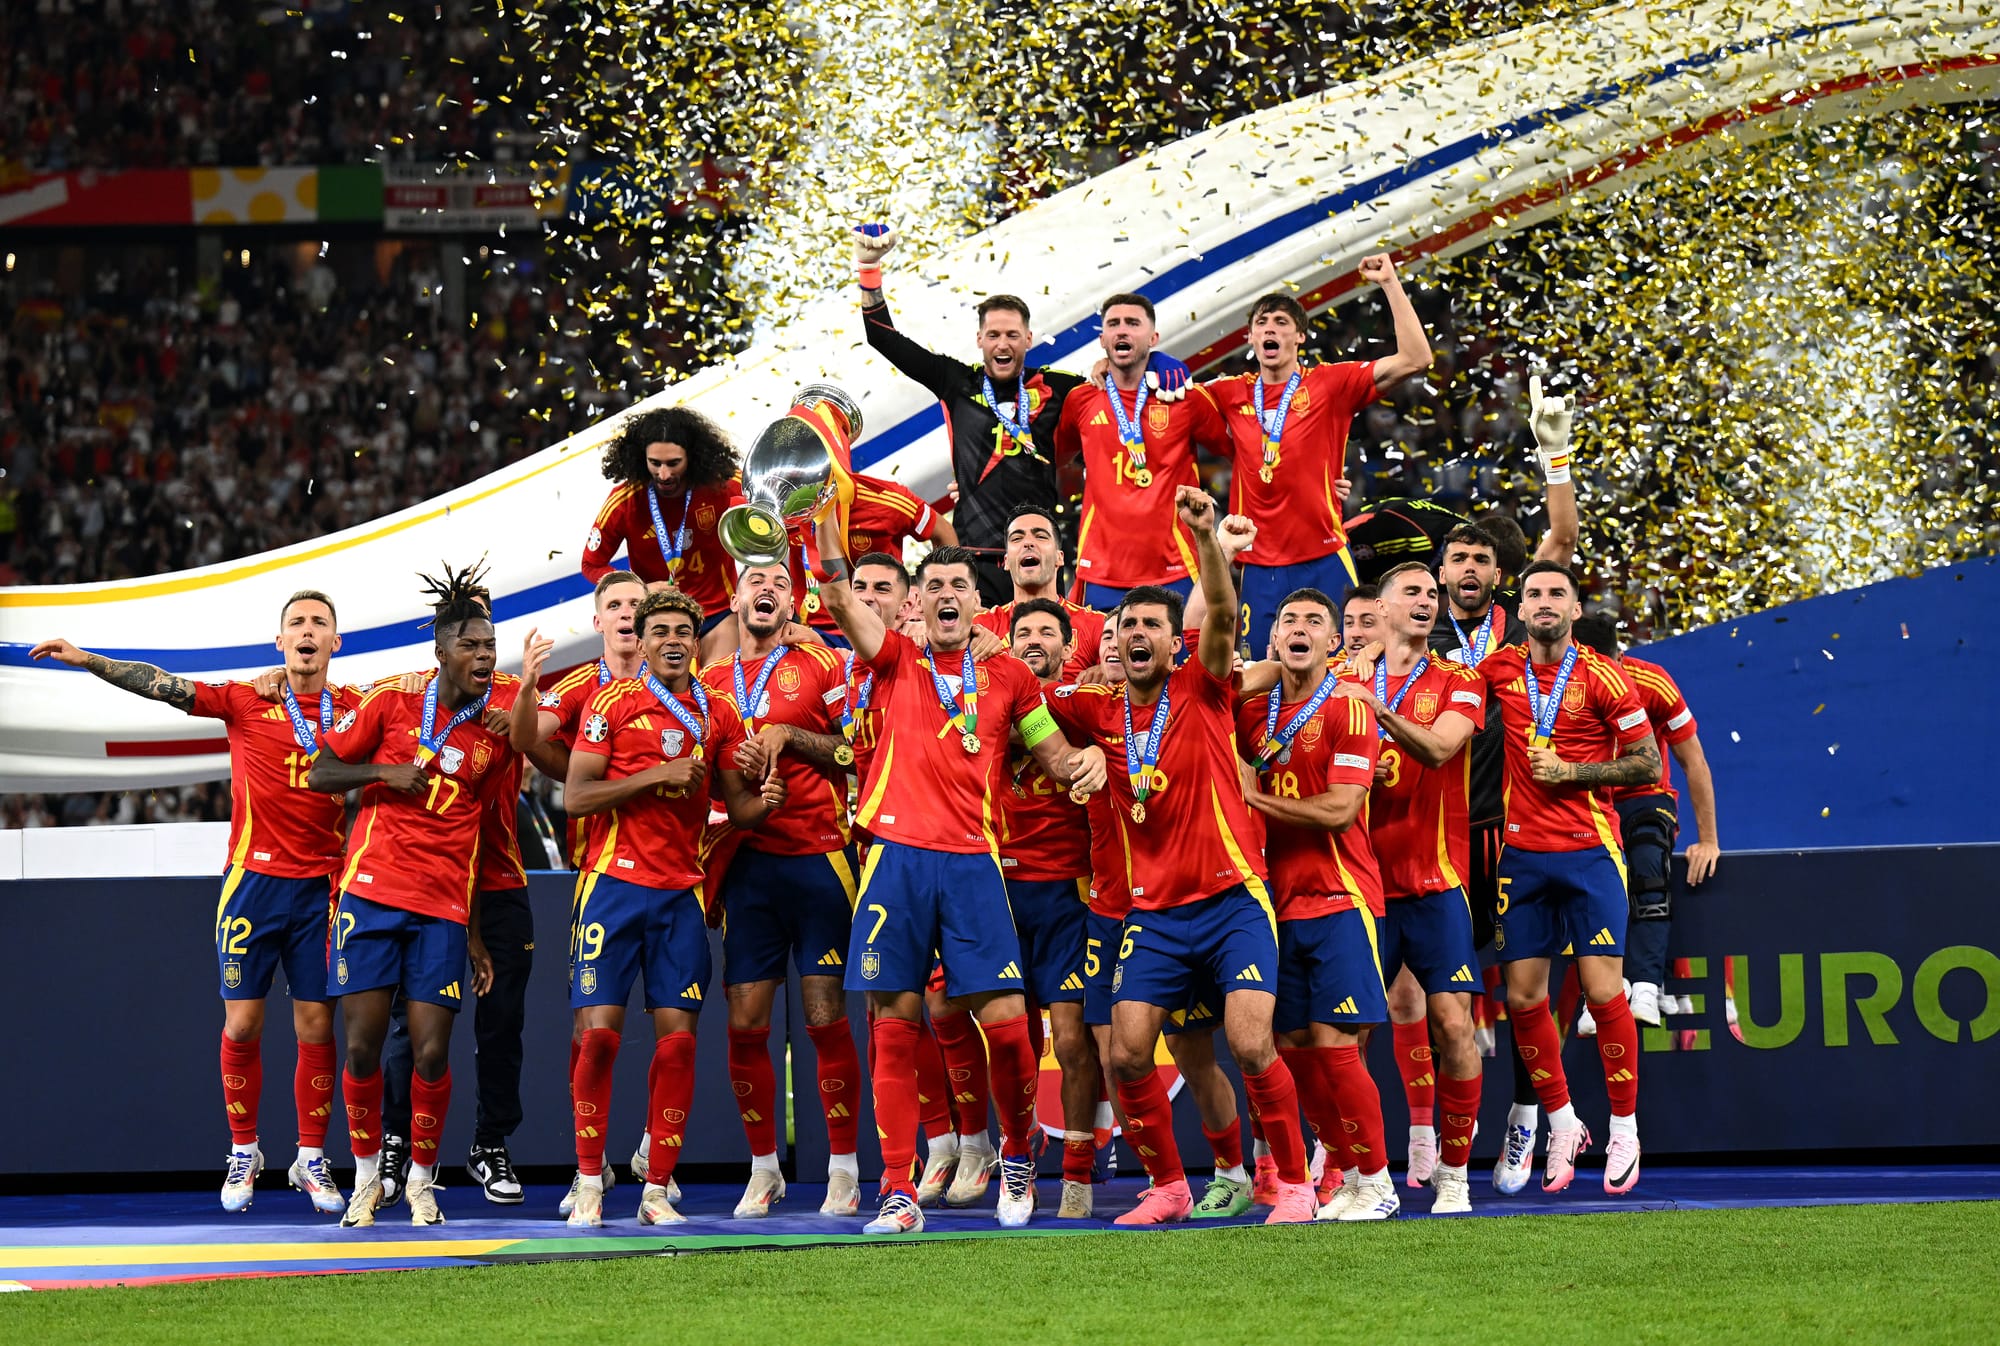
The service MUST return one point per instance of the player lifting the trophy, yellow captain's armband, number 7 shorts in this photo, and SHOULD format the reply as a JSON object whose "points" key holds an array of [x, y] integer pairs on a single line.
{"points": [[933, 879]]}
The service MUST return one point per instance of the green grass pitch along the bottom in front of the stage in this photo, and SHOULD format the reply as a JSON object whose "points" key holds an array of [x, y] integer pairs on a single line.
{"points": [[1691, 1279]]}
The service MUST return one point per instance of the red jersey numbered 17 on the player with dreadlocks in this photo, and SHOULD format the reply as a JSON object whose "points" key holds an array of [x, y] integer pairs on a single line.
{"points": [[419, 853]]}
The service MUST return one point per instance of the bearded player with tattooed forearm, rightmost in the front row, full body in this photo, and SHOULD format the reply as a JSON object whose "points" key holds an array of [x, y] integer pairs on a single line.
{"points": [[1575, 731]]}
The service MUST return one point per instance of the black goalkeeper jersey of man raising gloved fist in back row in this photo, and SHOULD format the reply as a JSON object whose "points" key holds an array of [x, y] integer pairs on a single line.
{"points": [[993, 473]]}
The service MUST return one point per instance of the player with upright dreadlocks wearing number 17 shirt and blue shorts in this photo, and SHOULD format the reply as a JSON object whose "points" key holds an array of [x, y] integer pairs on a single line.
{"points": [[407, 913]]}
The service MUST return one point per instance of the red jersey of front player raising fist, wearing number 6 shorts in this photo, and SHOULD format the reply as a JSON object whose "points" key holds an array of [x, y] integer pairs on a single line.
{"points": [[1197, 839]]}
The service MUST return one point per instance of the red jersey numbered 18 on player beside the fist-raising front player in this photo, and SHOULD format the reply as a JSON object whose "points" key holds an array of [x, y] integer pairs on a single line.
{"points": [[1317, 873]]}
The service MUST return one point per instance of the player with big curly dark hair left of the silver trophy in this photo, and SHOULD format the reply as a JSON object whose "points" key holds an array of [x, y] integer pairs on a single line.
{"points": [[677, 475]]}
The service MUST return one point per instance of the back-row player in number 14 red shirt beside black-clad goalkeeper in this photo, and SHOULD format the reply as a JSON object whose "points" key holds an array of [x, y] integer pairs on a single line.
{"points": [[1137, 449]]}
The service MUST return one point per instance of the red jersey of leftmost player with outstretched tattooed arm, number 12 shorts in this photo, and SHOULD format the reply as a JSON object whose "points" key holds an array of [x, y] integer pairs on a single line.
{"points": [[277, 825]]}
